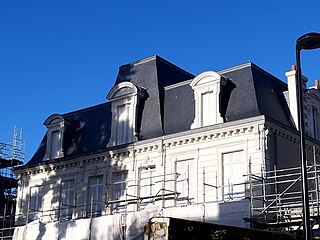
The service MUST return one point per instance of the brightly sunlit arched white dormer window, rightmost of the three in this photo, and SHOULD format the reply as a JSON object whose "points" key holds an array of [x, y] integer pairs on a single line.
{"points": [[211, 94]]}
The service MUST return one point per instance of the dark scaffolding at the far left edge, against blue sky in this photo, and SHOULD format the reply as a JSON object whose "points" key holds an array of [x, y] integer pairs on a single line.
{"points": [[11, 155]]}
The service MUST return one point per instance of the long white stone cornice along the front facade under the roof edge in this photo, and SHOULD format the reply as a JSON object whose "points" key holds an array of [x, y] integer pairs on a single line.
{"points": [[195, 136]]}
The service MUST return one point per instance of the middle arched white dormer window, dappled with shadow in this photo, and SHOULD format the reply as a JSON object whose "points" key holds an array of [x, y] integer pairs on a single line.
{"points": [[124, 99]]}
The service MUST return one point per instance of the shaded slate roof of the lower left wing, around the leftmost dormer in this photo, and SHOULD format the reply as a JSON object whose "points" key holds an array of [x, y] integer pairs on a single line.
{"points": [[87, 131]]}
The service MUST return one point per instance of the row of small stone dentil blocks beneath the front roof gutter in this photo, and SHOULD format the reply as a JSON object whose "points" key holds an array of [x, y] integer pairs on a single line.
{"points": [[153, 146]]}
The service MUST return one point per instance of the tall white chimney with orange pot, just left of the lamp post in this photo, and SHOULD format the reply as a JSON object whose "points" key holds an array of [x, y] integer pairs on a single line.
{"points": [[293, 93]]}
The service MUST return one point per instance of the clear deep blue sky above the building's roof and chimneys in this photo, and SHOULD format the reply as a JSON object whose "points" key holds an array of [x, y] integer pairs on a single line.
{"points": [[59, 56]]}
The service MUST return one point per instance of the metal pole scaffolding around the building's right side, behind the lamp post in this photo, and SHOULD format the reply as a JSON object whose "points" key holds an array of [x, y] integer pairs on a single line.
{"points": [[276, 198]]}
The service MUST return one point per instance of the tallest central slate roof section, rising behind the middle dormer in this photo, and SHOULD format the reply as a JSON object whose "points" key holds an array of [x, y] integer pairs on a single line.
{"points": [[153, 74]]}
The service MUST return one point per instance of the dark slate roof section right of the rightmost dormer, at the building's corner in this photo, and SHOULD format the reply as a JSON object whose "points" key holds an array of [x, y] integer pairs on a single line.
{"points": [[257, 93]]}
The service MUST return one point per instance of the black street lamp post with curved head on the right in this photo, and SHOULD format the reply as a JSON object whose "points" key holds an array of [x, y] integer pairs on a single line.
{"points": [[306, 42]]}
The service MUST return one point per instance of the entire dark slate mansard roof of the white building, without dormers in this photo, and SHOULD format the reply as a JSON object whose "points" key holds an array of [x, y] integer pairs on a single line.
{"points": [[169, 107]]}
